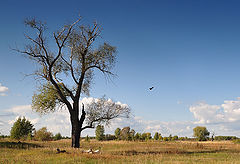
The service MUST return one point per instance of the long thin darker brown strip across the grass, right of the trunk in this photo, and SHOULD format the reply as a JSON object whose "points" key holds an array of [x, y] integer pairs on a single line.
{"points": [[133, 152]]}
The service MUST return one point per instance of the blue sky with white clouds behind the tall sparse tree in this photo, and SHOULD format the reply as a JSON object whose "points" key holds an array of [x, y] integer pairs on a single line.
{"points": [[188, 50]]}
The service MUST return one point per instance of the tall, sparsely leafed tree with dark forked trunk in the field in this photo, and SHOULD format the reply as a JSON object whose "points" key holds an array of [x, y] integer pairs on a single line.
{"points": [[75, 57]]}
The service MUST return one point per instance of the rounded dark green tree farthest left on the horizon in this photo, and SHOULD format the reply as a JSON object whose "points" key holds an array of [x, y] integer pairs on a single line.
{"points": [[21, 129]]}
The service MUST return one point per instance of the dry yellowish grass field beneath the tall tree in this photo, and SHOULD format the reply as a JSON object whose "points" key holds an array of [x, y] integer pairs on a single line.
{"points": [[121, 152]]}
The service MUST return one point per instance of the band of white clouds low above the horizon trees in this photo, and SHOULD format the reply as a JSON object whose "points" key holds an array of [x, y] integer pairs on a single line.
{"points": [[221, 119]]}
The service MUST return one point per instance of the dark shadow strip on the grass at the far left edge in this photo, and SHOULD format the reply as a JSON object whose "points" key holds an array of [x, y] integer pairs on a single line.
{"points": [[18, 145]]}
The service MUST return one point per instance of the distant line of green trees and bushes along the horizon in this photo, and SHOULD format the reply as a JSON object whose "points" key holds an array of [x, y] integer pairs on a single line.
{"points": [[23, 129]]}
